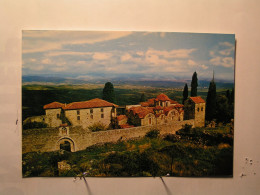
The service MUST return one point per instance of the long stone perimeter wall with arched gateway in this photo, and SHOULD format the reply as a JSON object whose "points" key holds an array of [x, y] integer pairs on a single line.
{"points": [[49, 139]]}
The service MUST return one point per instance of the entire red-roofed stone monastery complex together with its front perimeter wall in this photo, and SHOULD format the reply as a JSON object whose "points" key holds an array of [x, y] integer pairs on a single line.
{"points": [[68, 125]]}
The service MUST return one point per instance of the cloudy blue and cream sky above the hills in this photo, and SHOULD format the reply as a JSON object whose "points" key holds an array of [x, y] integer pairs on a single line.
{"points": [[93, 55]]}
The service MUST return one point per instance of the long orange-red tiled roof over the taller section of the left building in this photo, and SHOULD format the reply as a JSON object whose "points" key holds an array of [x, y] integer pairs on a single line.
{"points": [[94, 103]]}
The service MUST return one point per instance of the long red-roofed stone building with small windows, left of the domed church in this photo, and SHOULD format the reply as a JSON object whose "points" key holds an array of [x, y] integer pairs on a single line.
{"points": [[83, 114]]}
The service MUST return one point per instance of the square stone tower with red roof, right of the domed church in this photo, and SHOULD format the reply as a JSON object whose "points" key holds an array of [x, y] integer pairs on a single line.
{"points": [[195, 109]]}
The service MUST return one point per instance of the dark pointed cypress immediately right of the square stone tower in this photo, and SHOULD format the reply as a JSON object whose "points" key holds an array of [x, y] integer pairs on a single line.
{"points": [[211, 101]]}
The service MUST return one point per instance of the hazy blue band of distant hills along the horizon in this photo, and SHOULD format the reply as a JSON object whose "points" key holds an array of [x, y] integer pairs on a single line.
{"points": [[120, 81]]}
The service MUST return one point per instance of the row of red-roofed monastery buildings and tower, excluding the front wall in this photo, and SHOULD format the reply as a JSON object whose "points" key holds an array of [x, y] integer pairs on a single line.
{"points": [[157, 110]]}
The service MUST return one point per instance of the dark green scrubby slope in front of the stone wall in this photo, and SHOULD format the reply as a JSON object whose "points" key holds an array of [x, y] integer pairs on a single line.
{"points": [[198, 152]]}
